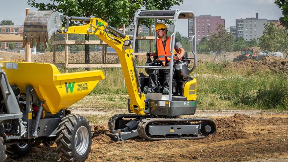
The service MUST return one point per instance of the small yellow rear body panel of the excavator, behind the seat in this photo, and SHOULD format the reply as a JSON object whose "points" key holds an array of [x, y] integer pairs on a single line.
{"points": [[190, 90]]}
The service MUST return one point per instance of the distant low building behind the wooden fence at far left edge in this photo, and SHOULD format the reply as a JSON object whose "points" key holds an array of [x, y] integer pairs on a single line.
{"points": [[11, 29]]}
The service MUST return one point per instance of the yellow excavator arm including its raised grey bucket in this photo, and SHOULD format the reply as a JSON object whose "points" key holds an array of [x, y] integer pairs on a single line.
{"points": [[40, 25]]}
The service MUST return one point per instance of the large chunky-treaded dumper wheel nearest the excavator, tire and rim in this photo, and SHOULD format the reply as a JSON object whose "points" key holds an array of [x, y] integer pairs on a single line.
{"points": [[73, 138]]}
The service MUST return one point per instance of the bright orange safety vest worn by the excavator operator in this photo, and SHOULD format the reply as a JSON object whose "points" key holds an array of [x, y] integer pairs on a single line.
{"points": [[164, 54]]}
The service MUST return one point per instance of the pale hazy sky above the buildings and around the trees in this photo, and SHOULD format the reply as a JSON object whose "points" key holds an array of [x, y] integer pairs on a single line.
{"points": [[230, 10]]}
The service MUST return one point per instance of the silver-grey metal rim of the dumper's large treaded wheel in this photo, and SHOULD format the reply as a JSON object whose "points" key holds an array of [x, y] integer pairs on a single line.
{"points": [[81, 140]]}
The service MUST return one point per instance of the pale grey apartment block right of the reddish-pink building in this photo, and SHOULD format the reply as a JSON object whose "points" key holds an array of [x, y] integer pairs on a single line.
{"points": [[250, 28]]}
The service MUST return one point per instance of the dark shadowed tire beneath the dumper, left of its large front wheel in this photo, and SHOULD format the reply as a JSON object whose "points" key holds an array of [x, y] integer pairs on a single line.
{"points": [[18, 150]]}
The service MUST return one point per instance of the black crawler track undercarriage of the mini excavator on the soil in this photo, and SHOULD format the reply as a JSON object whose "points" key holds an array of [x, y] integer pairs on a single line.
{"points": [[152, 127]]}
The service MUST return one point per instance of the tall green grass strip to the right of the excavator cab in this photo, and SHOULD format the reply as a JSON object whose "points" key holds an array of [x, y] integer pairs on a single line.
{"points": [[220, 86]]}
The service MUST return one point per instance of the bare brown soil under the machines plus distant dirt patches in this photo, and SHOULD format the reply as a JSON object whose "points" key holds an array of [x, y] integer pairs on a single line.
{"points": [[242, 135]]}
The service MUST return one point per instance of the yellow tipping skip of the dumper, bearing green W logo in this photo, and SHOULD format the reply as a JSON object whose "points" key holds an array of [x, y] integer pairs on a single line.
{"points": [[59, 91]]}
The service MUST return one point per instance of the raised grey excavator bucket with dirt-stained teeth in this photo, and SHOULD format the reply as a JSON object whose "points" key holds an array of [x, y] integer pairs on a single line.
{"points": [[39, 26]]}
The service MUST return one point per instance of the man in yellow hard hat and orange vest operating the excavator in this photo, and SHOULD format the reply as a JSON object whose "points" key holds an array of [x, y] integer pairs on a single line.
{"points": [[163, 54]]}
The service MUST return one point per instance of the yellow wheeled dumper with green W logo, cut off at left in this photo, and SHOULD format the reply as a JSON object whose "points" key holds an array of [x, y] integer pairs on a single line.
{"points": [[33, 109]]}
